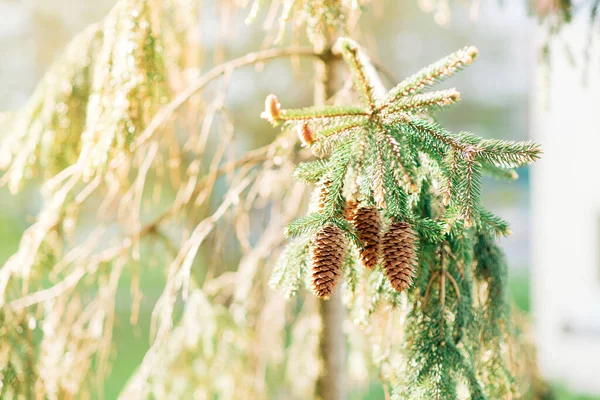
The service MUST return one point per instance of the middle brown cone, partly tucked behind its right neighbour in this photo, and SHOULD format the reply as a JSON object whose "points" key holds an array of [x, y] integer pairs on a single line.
{"points": [[367, 223]]}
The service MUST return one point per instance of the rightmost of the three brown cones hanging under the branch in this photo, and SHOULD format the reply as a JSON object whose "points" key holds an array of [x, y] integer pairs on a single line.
{"points": [[399, 255]]}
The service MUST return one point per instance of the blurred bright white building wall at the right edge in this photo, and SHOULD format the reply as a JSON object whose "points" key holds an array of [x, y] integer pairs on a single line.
{"points": [[566, 213]]}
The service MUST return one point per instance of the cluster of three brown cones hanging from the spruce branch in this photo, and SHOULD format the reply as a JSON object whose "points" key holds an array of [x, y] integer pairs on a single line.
{"points": [[396, 248]]}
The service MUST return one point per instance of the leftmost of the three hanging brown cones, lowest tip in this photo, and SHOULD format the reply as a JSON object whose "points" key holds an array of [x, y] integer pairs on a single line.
{"points": [[327, 256]]}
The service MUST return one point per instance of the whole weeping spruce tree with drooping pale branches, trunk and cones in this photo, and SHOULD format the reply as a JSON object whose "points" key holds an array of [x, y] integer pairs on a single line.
{"points": [[151, 219]]}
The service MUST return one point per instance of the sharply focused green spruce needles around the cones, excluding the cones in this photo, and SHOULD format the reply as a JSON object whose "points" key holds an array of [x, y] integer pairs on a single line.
{"points": [[389, 153]]}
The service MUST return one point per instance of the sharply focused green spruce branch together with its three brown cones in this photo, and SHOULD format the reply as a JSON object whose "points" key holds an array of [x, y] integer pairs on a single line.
{"points": [[389, 159]]}
